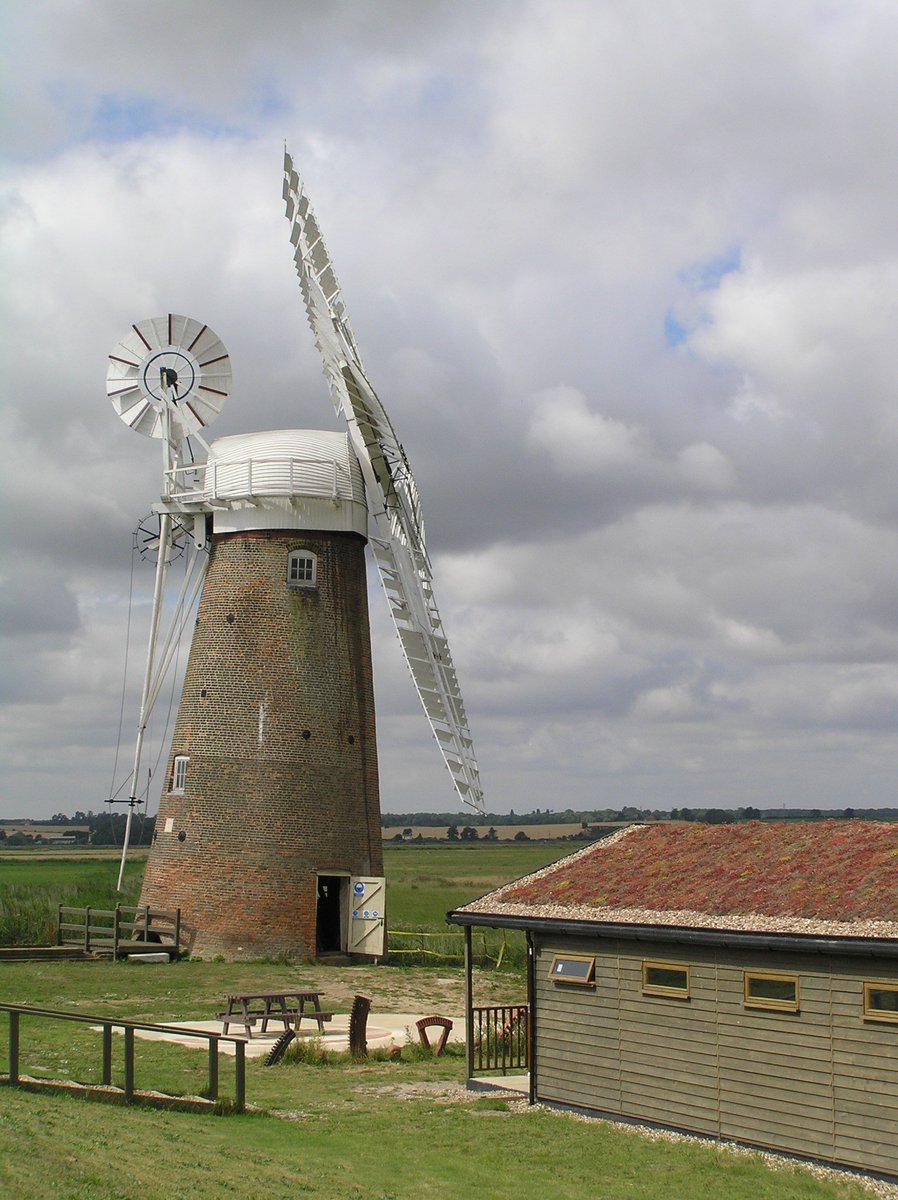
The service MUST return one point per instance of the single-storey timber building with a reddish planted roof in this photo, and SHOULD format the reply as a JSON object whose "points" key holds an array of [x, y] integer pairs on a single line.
{"points": [[735, 981]]}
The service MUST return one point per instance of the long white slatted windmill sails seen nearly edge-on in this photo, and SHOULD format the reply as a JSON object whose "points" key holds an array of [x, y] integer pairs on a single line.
{"points": [[393, 497]]}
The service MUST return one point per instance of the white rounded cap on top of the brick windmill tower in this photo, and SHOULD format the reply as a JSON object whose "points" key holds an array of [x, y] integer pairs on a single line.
{"points": [[288, 479]]}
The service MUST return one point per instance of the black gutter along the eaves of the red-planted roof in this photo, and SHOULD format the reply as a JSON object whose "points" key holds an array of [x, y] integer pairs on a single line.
{"points": [[685, 935]]}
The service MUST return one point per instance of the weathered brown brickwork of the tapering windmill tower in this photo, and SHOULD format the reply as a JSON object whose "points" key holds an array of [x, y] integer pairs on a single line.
{"points": [[278, 721]]}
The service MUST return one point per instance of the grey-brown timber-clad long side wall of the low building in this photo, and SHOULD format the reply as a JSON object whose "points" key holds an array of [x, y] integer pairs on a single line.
{"points": [[822, 1083]]}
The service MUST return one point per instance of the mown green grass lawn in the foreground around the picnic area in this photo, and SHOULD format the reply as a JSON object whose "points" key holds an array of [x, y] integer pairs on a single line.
{"points": [[384, 1130]]}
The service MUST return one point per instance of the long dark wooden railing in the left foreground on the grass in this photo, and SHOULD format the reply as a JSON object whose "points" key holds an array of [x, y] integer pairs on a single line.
{"points": [[129, 1028]]}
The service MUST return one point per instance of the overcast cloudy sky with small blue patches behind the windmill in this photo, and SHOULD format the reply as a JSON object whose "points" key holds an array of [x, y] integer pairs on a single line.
{"points": [[625, 274]]}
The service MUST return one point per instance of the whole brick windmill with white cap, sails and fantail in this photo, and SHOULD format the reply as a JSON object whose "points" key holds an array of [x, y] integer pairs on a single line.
{"points": [[268, 836]]}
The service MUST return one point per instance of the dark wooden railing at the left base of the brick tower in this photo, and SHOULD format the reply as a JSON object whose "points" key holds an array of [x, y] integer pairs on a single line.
{"points": [[121, 931]]}
